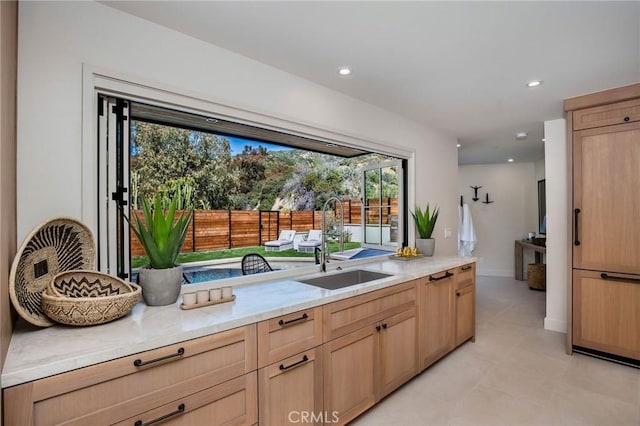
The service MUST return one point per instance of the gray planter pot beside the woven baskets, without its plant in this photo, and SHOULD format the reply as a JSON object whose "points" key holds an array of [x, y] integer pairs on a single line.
{"points": [[160, 286]]}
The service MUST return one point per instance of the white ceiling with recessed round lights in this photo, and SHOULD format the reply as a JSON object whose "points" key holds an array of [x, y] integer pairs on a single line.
{"points": [[459, 67]]}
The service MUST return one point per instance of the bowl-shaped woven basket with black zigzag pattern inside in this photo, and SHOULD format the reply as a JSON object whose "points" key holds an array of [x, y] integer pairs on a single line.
{"points": [[88, 298]]}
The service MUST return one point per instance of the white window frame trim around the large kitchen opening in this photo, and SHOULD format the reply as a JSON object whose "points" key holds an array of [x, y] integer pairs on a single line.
{"points": [[108, 82]]}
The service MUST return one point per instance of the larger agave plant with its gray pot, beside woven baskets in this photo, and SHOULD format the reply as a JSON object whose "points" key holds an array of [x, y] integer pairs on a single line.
{"points": [[161, 236]]}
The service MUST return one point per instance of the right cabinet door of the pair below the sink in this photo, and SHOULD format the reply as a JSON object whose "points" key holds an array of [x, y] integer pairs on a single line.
{"points": [[398, 350]]}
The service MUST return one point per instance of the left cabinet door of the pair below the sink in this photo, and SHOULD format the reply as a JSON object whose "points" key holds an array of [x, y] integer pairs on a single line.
{"points": [[350, 374]]}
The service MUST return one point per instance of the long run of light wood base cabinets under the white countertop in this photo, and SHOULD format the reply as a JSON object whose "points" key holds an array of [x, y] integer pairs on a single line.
{"points": [[326, 364]]}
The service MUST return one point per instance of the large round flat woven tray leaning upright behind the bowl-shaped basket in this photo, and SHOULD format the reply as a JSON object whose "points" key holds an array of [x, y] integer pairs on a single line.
{"points": [[57, 245]]}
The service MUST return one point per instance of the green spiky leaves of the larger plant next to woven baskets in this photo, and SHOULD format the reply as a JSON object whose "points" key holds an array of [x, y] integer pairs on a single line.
{"points": [[160, 235]]}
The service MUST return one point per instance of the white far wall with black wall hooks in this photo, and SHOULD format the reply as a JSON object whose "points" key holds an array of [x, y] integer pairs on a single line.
{"points": [[514, 213]]}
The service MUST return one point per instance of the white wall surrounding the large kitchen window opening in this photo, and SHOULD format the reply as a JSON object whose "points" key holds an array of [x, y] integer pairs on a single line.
{"points": [[57, 38]]}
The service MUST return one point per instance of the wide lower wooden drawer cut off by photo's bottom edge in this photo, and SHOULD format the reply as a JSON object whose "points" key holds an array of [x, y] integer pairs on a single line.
{"points": [[230, 403]]}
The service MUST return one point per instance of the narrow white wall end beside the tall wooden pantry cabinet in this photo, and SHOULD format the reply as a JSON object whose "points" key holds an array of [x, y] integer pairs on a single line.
{"points": [[557, 230]]}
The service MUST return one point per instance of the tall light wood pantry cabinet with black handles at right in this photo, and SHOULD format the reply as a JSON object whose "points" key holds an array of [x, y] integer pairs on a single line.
{"points": [[604, 139]]}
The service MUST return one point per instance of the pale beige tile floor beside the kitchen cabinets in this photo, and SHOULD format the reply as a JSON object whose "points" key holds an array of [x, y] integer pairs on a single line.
{"points": [[516, 373]]}
